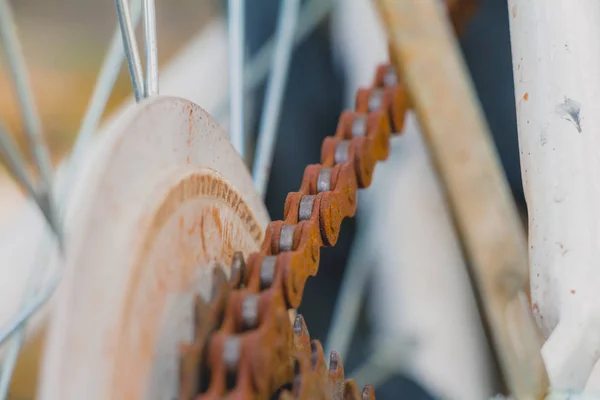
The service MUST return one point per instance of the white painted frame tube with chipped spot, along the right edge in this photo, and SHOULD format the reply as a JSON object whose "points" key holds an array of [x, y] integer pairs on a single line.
{"points": [[556, 59]]}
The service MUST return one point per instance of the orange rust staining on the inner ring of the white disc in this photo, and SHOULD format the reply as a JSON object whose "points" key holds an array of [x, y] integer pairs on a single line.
{"points": [[138, 352]]}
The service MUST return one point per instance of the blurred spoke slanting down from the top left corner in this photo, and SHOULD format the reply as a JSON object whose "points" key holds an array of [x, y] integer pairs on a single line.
{"points": [[31, 119]]}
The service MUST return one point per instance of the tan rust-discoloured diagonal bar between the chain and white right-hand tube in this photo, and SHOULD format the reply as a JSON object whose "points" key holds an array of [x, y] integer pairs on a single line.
{"points": [[425, 52]]}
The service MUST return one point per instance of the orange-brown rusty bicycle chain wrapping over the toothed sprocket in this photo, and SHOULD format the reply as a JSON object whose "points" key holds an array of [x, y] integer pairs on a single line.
{"points": [[244, 345]]}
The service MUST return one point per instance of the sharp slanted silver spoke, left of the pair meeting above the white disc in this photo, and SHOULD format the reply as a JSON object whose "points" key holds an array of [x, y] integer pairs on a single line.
{"points": [[134, 63]]}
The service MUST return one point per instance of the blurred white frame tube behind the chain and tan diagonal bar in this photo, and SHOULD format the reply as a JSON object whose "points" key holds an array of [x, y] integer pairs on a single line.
{"points": [[423, 301]]}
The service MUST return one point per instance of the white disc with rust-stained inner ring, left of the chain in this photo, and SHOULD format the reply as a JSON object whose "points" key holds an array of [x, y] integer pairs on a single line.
{"points": [[142, 231]]}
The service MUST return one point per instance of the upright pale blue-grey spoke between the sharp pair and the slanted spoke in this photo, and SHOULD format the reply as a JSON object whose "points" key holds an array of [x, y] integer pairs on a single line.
{"points": [[236, 73]]}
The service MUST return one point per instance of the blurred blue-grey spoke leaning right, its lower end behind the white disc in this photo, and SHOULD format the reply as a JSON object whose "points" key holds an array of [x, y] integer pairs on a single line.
{"points": [[286, 28]]}
